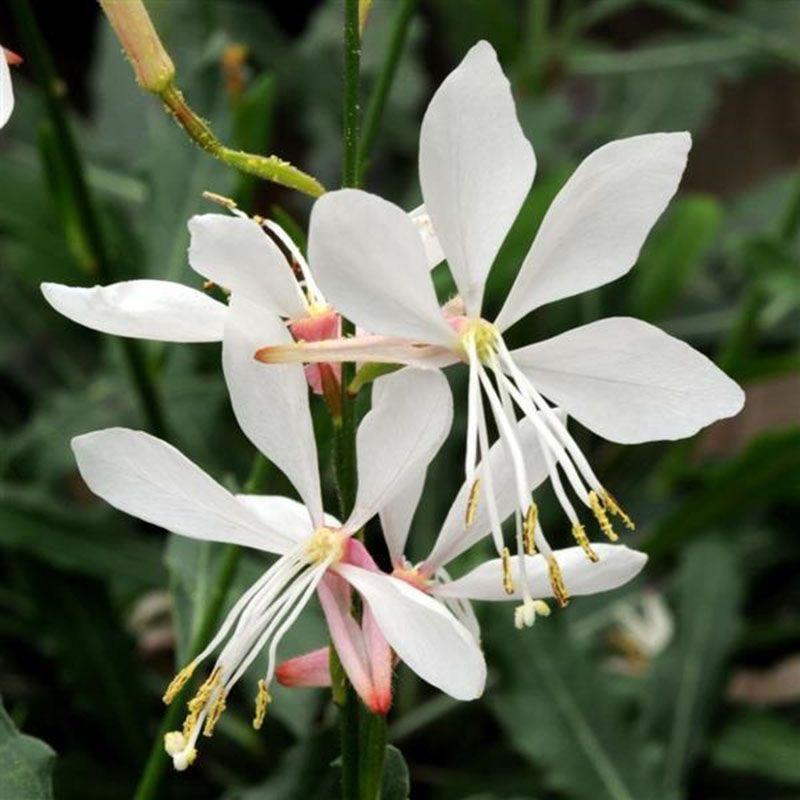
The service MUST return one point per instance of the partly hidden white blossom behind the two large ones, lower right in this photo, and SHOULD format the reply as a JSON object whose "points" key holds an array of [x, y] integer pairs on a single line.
{"points": [[527, 578]]}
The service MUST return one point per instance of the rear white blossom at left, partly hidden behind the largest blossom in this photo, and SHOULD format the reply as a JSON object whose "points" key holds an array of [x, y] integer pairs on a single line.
{"points": [[231, 252]]}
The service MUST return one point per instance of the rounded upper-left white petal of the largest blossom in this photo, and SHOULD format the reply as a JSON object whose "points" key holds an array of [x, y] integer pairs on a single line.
{"points": [[369, 261]]}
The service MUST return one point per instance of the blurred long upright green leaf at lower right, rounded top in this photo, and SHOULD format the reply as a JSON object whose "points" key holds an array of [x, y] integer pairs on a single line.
{"points": [[685, 682]]}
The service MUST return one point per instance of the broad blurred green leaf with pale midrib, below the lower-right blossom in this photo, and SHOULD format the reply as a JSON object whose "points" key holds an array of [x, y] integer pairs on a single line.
{"points": [[560, 712]]}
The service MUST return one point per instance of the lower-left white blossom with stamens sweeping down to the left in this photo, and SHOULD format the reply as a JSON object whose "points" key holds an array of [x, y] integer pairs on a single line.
{"points": [[150, 479]]}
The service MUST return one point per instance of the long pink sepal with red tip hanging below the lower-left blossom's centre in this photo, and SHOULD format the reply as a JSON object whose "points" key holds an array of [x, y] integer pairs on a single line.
{"points": [[348, 639]]}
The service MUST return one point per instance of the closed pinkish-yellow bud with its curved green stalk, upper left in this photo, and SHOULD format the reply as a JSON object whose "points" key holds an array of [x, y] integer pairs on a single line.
{"points": [[155, 73]]}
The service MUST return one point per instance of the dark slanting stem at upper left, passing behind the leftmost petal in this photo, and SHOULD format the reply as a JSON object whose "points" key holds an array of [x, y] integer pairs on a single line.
{"points": [[38, 56]]}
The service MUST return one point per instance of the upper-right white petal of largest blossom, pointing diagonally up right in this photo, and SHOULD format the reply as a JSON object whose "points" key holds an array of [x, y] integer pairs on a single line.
{"points": [[594, 229]]}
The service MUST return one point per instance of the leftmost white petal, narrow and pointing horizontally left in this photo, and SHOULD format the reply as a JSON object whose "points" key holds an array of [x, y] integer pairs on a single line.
{"points": [[145, 309]]}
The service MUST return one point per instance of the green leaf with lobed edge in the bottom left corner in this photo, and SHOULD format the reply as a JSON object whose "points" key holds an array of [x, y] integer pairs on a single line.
{"points": [[27, 764]]}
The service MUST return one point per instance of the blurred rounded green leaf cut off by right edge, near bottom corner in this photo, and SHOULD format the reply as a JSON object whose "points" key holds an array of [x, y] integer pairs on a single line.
{"points": [[760, 743]]}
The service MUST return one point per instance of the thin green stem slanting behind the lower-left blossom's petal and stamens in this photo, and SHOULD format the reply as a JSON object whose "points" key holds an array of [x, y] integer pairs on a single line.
{"points": [[156, 764]]}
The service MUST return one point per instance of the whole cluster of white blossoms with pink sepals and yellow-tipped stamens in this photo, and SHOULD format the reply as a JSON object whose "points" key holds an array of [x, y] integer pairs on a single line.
{"points": [[370, 261]]}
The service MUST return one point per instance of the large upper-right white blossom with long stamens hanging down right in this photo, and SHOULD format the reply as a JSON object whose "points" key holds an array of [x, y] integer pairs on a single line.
{"points": [[622, 378]]}
